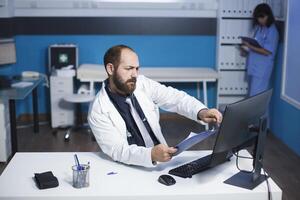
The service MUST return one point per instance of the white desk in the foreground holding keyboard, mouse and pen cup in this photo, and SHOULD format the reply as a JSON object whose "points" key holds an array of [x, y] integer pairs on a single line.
{"points": [[130, 183]]}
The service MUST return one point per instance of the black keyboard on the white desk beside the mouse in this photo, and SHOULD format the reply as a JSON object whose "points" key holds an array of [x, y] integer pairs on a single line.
{"points": [[191, 168]]}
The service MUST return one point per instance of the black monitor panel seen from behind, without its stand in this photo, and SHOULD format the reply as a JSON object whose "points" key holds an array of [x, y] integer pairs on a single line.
{"points": [[239, 119]]}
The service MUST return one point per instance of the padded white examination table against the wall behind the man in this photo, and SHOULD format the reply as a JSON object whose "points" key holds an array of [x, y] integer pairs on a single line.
{"points": [[97, 73]]}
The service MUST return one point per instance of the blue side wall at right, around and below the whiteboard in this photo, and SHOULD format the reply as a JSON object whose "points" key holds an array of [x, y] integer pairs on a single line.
{"points": [[285, 118]]}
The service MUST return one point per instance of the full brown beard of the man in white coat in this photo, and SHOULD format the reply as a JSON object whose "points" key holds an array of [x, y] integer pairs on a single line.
{"points": [[128, 87]]}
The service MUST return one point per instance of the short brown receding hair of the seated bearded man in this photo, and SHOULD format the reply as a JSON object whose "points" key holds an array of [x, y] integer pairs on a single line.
{"points": [[113, 55]]}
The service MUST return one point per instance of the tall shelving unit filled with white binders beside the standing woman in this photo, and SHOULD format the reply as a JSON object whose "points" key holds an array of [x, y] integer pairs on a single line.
{"points": [[234, 20]]}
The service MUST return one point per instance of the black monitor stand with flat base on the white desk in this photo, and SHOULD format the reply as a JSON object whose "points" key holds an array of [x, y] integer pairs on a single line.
{"points": [[251, 180]]}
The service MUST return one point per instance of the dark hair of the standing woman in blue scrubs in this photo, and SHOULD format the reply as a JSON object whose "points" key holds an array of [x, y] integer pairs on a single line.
{"points": [[261, 10]]}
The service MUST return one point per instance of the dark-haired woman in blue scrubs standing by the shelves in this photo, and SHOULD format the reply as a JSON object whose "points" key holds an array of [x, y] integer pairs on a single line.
{"points": [[260, 60]]}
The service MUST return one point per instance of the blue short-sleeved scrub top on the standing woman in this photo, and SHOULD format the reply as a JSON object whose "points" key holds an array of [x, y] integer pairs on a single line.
{"points": [[259, 65]]}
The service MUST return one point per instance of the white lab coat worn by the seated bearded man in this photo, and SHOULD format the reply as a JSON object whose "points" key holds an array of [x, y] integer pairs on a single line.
{"points": [[109, 127]]}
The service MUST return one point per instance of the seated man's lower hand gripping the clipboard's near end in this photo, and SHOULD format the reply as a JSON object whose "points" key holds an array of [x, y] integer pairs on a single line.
{"points": [[162, 153]]}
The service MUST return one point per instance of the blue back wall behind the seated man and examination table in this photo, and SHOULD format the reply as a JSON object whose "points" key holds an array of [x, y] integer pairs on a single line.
{"points": [[189, 51]]}
